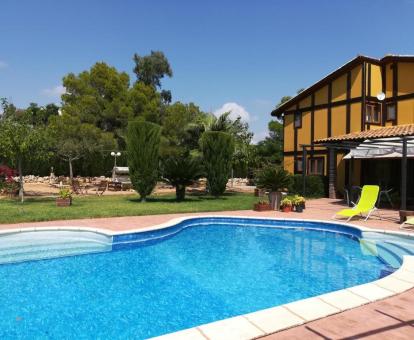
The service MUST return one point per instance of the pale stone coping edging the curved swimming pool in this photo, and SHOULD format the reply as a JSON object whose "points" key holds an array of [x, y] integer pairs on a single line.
{"points": [[271, 320]]}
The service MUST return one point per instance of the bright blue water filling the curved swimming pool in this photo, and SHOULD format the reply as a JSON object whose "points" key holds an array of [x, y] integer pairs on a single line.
{"points": [[210, 270]]}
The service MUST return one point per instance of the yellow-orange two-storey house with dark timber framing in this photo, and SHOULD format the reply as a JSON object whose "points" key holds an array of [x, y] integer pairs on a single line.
{"points": [[362, 95]]}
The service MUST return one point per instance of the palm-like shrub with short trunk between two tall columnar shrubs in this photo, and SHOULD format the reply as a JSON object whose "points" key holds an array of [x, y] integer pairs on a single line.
{"points": [[181, 171]]}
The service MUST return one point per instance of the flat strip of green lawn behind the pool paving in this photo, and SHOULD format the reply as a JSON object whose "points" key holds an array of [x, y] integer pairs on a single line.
{"points": [[44, 209]]}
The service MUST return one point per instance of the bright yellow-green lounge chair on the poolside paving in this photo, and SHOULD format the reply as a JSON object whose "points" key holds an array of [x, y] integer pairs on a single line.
{"points": [[365, 205]]}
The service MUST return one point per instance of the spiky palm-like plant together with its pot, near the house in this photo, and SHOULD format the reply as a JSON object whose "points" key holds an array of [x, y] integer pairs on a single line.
{"points": [[275, 180]]}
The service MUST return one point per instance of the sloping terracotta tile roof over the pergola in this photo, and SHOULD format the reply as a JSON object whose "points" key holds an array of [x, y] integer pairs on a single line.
{"points": [[389, 131]]}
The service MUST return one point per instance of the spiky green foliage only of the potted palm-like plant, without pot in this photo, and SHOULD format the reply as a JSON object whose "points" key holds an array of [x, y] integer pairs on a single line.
{"points": [[273, 178]]}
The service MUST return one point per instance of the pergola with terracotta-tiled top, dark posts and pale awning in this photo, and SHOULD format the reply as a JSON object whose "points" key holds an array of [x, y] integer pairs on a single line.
{"points": [[382, 143]]}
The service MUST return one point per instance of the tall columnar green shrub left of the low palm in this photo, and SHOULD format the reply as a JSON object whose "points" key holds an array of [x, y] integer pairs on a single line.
{"points": [[143, 142]]}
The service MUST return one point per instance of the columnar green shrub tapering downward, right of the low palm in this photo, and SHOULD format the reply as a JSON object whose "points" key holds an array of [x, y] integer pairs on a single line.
{"points": [[218, 149]]}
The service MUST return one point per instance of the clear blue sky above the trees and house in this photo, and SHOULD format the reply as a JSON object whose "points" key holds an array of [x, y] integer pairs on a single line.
{"points": [[245, 52]]}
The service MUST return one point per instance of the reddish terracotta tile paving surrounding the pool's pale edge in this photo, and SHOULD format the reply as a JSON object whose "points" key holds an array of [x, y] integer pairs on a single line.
{"points": [[392, 318]]}
